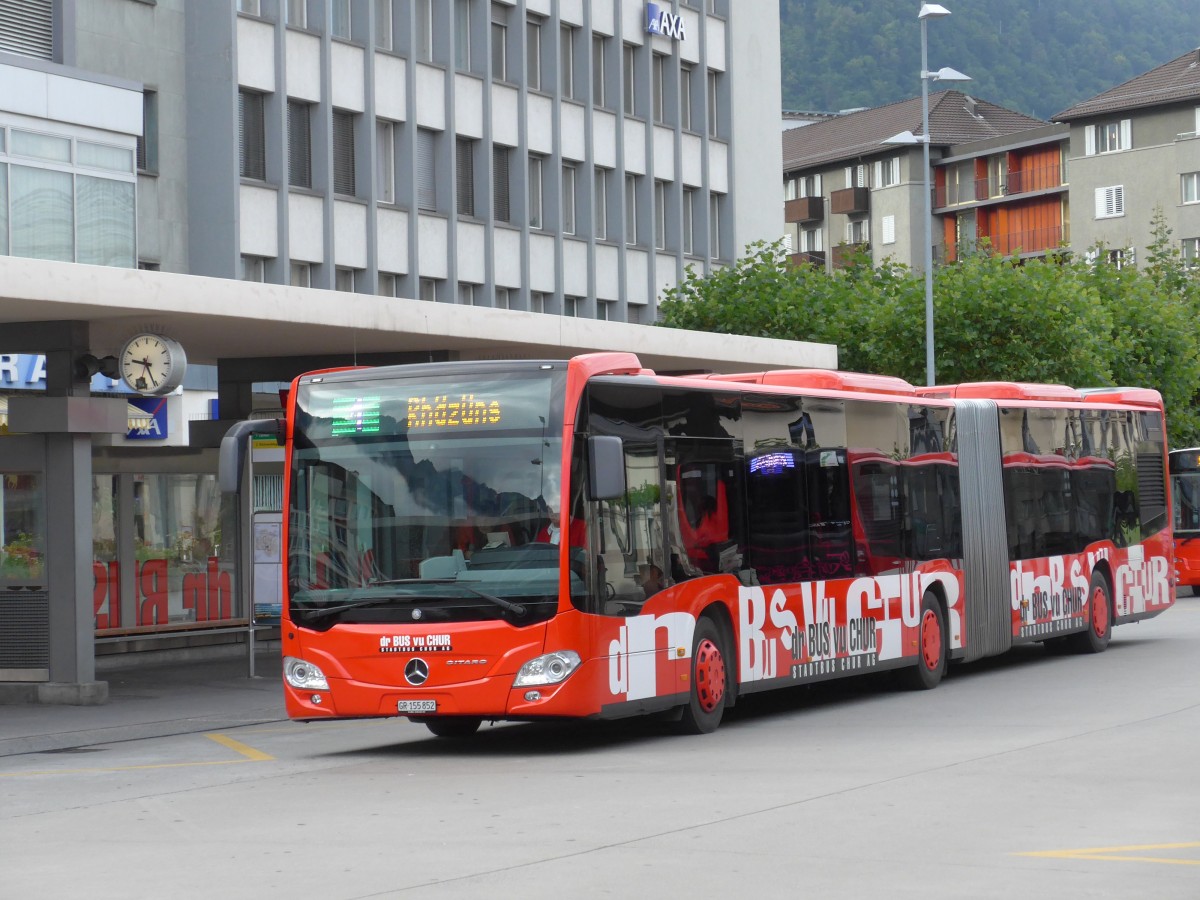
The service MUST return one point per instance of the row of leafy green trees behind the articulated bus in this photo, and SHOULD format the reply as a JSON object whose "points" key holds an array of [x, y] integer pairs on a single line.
{"points": [[1049, 321]]}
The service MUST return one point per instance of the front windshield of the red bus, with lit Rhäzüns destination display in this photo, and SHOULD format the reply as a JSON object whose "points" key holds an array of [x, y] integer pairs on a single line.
{"points": [[425, 500]]}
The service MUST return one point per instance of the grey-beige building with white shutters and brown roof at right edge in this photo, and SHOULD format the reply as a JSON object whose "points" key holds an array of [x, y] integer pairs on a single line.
{"points": [[1135, 151]]}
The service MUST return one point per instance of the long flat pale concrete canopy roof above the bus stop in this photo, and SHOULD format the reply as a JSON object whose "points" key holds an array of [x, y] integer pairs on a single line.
{"points": [[221, 320]]}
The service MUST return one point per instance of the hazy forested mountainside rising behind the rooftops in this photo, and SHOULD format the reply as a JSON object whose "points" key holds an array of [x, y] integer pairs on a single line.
{"points": [[1037, 57]]}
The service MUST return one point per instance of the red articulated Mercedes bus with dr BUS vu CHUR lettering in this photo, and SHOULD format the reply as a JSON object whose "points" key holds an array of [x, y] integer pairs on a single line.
{"points": [[514, 541]]}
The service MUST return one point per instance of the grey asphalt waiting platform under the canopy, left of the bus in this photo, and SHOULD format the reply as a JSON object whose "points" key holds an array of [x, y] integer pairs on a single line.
{"points": [[149, 701]]}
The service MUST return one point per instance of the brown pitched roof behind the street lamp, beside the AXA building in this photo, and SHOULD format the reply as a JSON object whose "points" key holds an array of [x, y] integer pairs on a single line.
{"points": [[955, 118]]}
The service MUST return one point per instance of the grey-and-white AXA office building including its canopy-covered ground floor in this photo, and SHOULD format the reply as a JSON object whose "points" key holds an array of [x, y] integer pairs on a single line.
{"points": [[475, 179]]}
